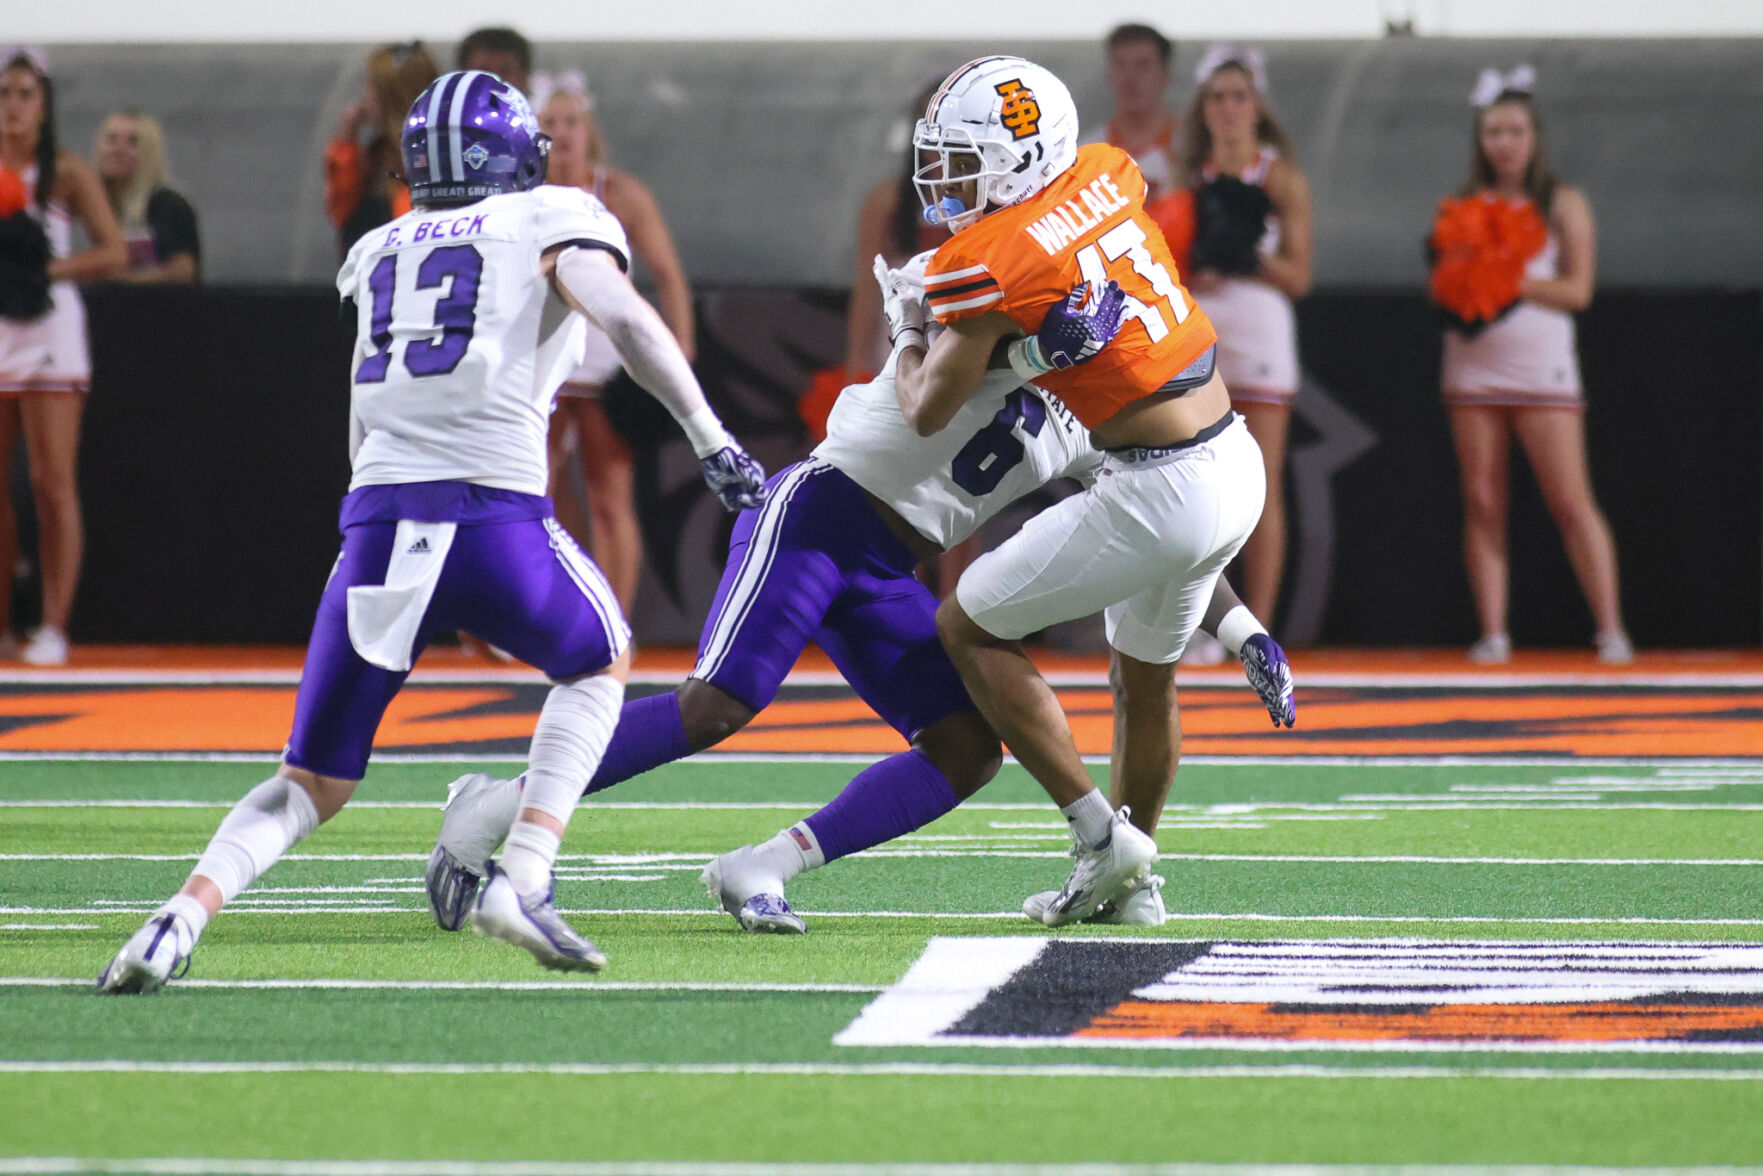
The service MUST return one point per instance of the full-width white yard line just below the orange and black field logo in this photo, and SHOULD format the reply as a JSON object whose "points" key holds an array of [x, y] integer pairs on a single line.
{"points": [[884, 1069]]}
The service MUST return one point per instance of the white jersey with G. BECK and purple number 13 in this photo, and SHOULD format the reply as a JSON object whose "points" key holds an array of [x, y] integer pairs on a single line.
{"points": [[461, 345]]}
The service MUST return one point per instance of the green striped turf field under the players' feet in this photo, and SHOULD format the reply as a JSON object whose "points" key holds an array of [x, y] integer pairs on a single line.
{"points": [[325, 1016]]}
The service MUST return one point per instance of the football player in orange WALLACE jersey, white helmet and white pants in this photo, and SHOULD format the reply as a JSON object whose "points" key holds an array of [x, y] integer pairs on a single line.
{"points": [[1184, 486]]}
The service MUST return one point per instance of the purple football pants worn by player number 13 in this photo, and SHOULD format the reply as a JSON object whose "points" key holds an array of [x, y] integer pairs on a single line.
{"points": [[514, 579]]}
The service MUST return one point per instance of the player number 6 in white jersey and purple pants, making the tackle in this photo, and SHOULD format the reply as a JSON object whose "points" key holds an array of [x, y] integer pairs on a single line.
{"points": [[831, 560]]}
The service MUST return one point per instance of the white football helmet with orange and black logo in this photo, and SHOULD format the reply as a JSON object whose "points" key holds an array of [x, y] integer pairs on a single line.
{"points": [[997, 131]]}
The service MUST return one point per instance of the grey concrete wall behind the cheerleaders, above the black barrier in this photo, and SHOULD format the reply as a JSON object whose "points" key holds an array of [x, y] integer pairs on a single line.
{"points": [[761, 154]]}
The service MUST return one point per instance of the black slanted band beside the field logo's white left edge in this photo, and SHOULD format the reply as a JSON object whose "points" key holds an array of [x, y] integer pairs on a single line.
{"points": [[1071, 985]]}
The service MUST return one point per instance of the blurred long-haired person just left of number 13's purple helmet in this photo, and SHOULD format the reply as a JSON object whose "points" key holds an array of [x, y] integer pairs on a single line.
{"points": [[362, 163]]}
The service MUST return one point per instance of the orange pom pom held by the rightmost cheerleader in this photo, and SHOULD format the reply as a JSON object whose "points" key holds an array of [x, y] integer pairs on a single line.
{"points": [[1480, 248]]}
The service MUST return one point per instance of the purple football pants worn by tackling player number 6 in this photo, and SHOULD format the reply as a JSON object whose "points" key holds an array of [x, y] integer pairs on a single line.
{"points": [[819, 563]]}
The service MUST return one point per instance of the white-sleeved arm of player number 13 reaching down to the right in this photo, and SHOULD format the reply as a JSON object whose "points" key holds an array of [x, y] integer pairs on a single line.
{"points": [[644, 345]]}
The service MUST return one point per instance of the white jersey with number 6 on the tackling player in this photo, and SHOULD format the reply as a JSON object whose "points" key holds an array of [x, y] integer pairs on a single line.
{"points": [[1006, 442]]}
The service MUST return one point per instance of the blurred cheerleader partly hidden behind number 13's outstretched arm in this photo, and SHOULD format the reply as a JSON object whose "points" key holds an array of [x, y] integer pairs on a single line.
{"points": [[581, 421]]}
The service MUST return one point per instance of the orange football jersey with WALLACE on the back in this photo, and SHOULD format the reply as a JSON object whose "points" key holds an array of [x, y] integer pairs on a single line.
{"points": [[1087, 227]]}
